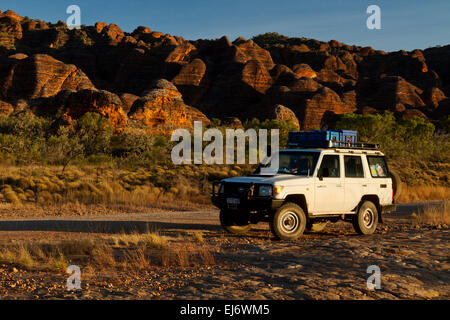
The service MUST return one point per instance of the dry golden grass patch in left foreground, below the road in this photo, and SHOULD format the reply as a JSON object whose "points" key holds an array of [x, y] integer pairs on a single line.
{"points": [[126, 252]]}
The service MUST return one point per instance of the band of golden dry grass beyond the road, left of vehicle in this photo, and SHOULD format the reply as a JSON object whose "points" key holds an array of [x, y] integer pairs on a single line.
{"points": [[151, 187]]}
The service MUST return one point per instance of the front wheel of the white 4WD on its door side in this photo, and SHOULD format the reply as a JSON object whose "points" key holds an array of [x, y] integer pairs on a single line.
{"points": [[288, 222]]}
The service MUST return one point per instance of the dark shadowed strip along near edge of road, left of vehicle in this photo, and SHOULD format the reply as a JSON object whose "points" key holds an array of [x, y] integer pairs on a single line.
{"points": [[109, 227]]}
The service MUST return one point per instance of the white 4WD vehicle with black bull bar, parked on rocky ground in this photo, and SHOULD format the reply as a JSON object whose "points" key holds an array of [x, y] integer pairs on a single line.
{"points": [[311, 187]]}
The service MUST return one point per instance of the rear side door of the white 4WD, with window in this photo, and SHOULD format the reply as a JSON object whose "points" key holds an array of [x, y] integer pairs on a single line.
{"points": [[355, 184]]}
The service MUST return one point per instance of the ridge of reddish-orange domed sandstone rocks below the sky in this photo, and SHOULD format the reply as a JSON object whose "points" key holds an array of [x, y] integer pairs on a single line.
{"points": [[223, 79]]}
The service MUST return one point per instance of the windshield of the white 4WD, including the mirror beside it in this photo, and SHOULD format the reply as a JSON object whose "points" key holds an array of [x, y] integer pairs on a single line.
{"points": [[294, 162]]}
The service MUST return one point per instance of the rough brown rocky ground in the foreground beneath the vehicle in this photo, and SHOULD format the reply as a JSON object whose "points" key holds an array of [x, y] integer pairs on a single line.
{"points": [[413, 259]]}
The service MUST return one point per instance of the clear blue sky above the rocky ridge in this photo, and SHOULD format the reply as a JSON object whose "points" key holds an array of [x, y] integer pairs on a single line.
{"points": [[405, 24]]}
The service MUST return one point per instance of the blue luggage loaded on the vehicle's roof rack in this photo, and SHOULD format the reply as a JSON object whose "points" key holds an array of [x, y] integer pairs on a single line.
{"points": [[326, 139]]}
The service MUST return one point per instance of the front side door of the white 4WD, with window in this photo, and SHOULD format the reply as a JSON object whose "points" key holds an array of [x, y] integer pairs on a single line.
{"points": [[329, 189]]}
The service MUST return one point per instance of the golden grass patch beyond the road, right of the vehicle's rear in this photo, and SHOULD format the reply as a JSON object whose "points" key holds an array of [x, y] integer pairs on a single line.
{"points": [[424, 193]]}
